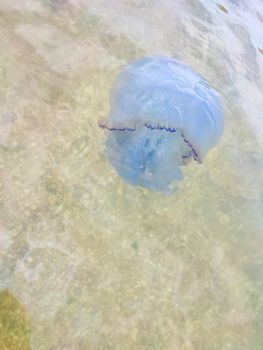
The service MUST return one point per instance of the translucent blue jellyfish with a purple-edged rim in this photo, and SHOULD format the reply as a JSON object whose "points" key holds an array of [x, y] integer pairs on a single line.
{"points": [[162, 114]]}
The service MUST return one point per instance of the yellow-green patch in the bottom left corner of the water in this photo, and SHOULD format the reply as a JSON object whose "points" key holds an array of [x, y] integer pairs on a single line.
{"points": [[14, 325]]}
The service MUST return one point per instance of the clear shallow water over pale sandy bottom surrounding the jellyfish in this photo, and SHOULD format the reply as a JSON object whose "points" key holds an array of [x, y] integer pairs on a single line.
{"points": [[96, 263]]}
